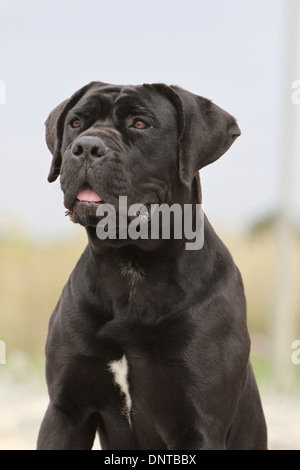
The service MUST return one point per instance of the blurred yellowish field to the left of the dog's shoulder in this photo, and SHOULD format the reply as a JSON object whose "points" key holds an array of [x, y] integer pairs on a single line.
{"points": [[32, 276]]}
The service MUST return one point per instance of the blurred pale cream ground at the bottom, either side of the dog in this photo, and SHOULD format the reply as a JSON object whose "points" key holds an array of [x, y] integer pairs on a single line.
{"points": [[22, 407]]}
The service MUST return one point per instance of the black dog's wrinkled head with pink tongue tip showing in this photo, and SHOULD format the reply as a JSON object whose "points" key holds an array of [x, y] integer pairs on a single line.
{"points": [[146, 142]]}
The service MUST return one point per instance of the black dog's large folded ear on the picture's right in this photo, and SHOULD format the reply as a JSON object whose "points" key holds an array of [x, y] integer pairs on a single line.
{"points": [[205, 131]]}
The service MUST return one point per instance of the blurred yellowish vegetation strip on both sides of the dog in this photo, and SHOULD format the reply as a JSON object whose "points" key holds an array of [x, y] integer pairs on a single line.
{"points": [[32, 276]]}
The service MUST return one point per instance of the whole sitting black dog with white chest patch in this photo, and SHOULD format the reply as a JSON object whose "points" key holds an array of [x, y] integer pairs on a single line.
{"points": [[148, 344]]}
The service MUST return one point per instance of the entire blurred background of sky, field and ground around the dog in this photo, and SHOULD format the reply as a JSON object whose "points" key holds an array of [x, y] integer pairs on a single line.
{"points": [[244, 55]]}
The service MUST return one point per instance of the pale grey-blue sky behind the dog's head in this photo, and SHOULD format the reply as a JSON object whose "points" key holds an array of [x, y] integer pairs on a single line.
{"points": [[232, 52]]}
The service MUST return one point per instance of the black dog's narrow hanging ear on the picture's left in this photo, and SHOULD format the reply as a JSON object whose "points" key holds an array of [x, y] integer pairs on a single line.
{"points": [[55, 125]]}
